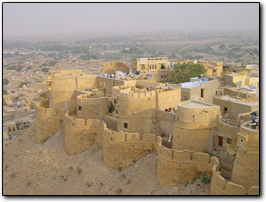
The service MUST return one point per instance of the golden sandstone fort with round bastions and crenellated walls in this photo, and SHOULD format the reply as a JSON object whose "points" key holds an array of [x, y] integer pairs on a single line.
{"points": [[128, 117]]}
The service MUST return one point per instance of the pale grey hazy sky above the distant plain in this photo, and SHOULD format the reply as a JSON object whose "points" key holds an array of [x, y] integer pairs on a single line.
{"points": [[29, 19]]}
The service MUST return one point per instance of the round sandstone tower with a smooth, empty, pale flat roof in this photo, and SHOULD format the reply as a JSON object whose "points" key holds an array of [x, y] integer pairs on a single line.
{"points": [[193, 127]]}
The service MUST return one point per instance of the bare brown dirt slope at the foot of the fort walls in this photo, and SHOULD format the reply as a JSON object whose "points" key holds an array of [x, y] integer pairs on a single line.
{"points": [[45, 169]]}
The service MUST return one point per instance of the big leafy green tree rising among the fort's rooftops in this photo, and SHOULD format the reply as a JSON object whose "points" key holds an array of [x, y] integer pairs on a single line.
{"points": [[184, 71]]}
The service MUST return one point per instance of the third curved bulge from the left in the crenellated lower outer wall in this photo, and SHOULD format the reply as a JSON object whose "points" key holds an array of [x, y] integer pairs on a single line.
{"points": [[121, 149]]}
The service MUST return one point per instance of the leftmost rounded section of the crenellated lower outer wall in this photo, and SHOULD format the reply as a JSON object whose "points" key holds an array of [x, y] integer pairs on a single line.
{"points": [[49, 121]]}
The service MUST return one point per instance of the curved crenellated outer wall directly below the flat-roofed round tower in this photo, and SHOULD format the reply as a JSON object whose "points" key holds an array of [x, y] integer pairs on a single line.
{"points": [[176, 167]]}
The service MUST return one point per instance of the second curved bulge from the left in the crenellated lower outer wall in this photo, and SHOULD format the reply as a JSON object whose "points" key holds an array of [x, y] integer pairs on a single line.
{"points": [[81, 134]]}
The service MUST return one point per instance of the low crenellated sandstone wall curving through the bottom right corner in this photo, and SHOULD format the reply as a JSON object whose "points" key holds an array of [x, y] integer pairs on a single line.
{"points": [[220, 186]]}
